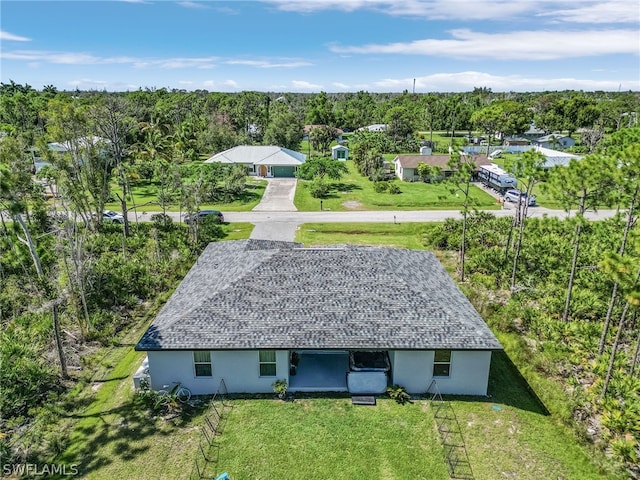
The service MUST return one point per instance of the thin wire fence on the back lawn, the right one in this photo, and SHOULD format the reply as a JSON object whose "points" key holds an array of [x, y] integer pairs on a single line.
{"points": [[451, 436]]}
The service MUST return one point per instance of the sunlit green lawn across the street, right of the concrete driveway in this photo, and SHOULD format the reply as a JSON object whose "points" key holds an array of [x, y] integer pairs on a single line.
{"points": [[355, 192]]}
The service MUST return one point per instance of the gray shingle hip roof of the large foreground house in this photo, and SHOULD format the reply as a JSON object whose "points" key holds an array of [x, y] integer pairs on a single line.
{"points": [[251, 294]]}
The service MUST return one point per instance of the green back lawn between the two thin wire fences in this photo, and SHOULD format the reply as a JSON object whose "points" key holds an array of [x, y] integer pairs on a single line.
{"points": [[321, 438]]}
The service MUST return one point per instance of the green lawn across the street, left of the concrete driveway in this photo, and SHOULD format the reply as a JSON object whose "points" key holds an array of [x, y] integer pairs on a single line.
{"points": [[145, 197]]}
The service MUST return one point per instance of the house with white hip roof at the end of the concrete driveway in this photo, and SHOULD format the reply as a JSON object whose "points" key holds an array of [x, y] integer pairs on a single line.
{"points": [[262, 160]]}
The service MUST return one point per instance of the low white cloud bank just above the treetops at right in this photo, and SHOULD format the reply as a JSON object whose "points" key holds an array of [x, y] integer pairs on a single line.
{"points": [[467, 81]]}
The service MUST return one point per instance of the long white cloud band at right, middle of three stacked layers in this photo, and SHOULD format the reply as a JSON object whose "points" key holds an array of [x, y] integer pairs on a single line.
{"points": [[522, 45]]}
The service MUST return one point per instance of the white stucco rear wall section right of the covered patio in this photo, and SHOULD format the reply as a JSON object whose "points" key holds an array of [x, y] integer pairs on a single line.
{"points": [[469, 373]]}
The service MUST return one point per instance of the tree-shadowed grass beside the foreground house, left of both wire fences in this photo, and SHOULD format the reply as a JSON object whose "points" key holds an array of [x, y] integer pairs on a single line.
{"points": [[115, 438]]}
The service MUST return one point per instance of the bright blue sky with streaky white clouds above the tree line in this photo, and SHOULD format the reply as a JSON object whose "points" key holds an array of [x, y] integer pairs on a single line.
{"points": [[323, 45]]}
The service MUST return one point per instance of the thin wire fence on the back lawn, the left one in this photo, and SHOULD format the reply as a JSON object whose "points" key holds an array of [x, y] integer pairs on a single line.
{"points": [[208, 449]]}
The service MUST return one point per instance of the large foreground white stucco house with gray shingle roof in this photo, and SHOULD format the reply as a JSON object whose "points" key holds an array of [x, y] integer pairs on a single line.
{"points": [[339, 318]]}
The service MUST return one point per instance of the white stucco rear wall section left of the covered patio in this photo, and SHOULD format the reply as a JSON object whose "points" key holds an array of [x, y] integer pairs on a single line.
{"points": [[239, 369]]}
